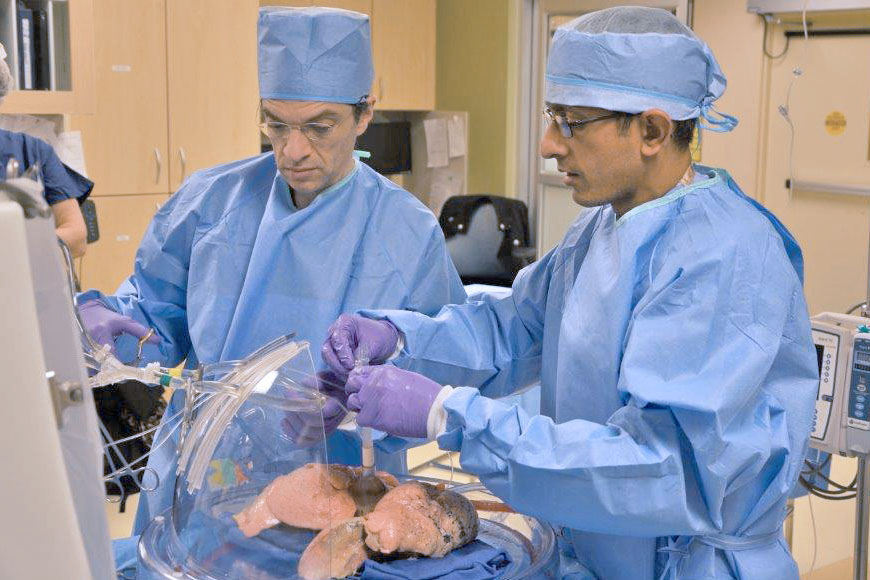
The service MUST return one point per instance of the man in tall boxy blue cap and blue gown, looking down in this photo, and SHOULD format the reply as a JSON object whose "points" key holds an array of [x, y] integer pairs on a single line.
{"points": [[285, 241]]}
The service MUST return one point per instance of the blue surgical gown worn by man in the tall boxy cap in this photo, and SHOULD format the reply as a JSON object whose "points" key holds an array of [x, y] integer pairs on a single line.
{"points": [[229, 263]]}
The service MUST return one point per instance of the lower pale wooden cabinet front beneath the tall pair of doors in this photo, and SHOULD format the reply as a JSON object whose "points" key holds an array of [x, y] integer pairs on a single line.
{"points": [[123, 220]]}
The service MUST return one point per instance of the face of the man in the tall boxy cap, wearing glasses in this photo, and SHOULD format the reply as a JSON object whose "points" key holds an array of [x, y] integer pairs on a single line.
{"points": [[312, 163]]}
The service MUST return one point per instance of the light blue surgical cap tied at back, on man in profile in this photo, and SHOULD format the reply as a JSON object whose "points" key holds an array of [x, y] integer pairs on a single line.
{"points": [[632, 59]]}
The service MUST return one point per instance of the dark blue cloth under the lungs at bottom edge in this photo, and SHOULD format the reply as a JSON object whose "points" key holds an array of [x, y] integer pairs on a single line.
{"points": [[476, 561]]}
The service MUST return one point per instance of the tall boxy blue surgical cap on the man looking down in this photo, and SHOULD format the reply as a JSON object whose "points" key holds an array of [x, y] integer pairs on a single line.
{"points": [[314, 54]]}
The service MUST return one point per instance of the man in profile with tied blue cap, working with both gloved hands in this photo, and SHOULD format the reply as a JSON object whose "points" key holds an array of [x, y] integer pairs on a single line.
{"points": [[668, 328]]}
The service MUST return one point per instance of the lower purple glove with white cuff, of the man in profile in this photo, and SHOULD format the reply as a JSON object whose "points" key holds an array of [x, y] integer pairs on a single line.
{"points": [[391, 399]]}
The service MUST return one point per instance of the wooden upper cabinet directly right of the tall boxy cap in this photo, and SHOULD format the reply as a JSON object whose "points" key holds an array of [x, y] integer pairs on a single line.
{"points": [[403, 49]]}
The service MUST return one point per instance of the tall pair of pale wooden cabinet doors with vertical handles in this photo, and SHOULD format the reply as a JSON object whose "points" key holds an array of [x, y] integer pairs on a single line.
{"points": [[176, 92]]}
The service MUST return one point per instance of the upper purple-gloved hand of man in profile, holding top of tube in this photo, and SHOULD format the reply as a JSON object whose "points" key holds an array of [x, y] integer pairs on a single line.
{"points": [[353, 337]]}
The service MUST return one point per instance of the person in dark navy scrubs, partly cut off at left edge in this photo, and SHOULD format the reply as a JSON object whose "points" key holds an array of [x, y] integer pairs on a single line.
{"points": [[65, 189]]}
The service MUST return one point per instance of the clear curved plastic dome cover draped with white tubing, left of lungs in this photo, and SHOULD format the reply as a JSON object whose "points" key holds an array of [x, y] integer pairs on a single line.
{"points": [[232, 447]]}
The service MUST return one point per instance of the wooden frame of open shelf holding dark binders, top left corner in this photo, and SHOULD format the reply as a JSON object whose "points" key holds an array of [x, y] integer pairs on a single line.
{"points": [[80, 99]]}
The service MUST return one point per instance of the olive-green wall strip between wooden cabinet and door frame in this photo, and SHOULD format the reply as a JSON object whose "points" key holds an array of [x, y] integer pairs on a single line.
{"points": [[472, 75]]}
